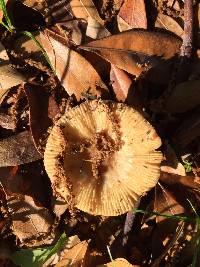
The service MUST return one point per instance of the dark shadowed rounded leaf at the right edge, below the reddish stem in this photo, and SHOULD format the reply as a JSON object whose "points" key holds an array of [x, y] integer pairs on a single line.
{"points": [[185, 96]]}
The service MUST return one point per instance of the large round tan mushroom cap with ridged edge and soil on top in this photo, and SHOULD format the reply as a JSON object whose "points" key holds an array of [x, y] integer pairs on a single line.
{"points": [[109, 157]]}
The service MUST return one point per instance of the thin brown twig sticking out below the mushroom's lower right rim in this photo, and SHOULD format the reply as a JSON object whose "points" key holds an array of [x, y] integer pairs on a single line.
{"points": [[128, 224]]}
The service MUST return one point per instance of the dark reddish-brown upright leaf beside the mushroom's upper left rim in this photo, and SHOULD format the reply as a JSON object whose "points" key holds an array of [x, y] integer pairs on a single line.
{"points": [[42, 111]]}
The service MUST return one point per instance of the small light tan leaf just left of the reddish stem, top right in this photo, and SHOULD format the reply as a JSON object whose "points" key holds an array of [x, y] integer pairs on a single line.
{"points": [[168, 23]]}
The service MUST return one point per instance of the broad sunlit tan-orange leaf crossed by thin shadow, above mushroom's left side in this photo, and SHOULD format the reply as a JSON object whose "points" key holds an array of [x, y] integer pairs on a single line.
{"points": [[75, 73]]}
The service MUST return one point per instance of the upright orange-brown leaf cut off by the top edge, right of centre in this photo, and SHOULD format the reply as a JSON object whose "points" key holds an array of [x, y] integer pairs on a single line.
{"points": [[133, 12]]}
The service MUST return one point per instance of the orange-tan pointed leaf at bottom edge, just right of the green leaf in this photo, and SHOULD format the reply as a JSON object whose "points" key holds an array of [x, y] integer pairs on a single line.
{"points": [[74, 256]]}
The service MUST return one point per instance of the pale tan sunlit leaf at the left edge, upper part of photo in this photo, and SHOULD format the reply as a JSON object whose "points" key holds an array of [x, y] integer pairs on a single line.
{"points": [[9, 77]]}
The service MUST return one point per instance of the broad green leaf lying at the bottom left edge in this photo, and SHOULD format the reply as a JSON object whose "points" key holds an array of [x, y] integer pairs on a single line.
{"points": [[37, 257]]}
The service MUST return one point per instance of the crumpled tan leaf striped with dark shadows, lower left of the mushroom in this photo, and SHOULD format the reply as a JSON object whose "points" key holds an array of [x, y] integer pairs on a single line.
{"points": [[29, 221]]}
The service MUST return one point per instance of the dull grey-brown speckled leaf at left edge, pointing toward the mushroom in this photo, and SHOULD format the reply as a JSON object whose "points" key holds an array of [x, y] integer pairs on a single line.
{"points": [[18, 149]]}
